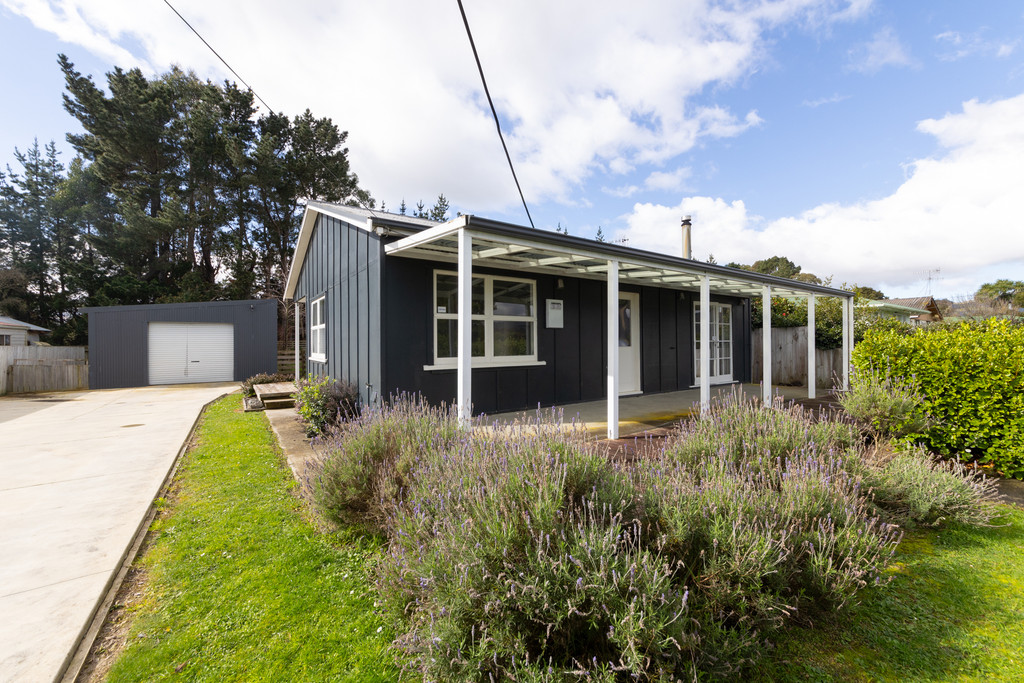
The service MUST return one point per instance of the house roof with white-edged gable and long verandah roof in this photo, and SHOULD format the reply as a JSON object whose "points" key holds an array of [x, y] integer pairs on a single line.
{"points": [[501, 245]]}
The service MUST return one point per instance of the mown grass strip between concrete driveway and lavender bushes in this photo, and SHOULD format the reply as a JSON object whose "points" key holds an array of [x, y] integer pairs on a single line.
{"points": [[241, 586]]}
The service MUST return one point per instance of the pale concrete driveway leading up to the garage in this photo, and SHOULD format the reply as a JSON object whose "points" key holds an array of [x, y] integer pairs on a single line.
{"points": [[78, 475]]}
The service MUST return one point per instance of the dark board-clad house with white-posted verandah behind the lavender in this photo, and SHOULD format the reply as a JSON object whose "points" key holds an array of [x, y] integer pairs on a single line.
{"points": [[387, 300]]}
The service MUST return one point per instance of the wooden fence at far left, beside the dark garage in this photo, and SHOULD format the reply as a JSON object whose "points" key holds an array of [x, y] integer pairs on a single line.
{"points": [[31, 369]]}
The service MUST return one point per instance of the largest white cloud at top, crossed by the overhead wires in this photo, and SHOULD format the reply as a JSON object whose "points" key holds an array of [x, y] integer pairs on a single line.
{"points": [[582, 88]]}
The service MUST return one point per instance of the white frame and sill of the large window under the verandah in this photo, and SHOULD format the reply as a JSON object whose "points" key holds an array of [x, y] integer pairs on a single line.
{"points": [[489, 318]]}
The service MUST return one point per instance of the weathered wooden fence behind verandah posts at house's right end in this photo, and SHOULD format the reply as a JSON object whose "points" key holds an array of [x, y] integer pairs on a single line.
{"points": [[789, 360]]}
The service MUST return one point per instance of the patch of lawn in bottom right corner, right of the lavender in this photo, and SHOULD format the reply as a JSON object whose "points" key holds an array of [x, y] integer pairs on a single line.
{"points": [[954, 612]]}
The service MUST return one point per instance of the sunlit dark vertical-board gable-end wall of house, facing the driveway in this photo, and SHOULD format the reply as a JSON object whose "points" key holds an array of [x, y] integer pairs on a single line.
{"points": [[343, 265]]}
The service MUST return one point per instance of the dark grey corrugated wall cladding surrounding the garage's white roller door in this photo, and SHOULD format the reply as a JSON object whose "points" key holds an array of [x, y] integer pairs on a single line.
{"points": [[119, 354]]}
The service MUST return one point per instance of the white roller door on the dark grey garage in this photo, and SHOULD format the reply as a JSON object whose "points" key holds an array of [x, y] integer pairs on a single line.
{"points": [[187, 353]]}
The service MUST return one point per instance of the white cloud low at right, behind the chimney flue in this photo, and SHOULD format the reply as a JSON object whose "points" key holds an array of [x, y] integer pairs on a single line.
{"points": [[959, 211]]}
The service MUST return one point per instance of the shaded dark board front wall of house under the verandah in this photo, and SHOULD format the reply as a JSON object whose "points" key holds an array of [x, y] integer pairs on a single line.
{"points": [[574, 357]]}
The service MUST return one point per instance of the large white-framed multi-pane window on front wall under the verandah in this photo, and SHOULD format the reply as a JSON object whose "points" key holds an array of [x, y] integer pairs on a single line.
{"points": [[503, 320]]}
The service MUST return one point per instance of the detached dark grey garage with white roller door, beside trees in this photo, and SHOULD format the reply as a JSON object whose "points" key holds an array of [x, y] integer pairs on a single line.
{"points": [[182, 344]]}
